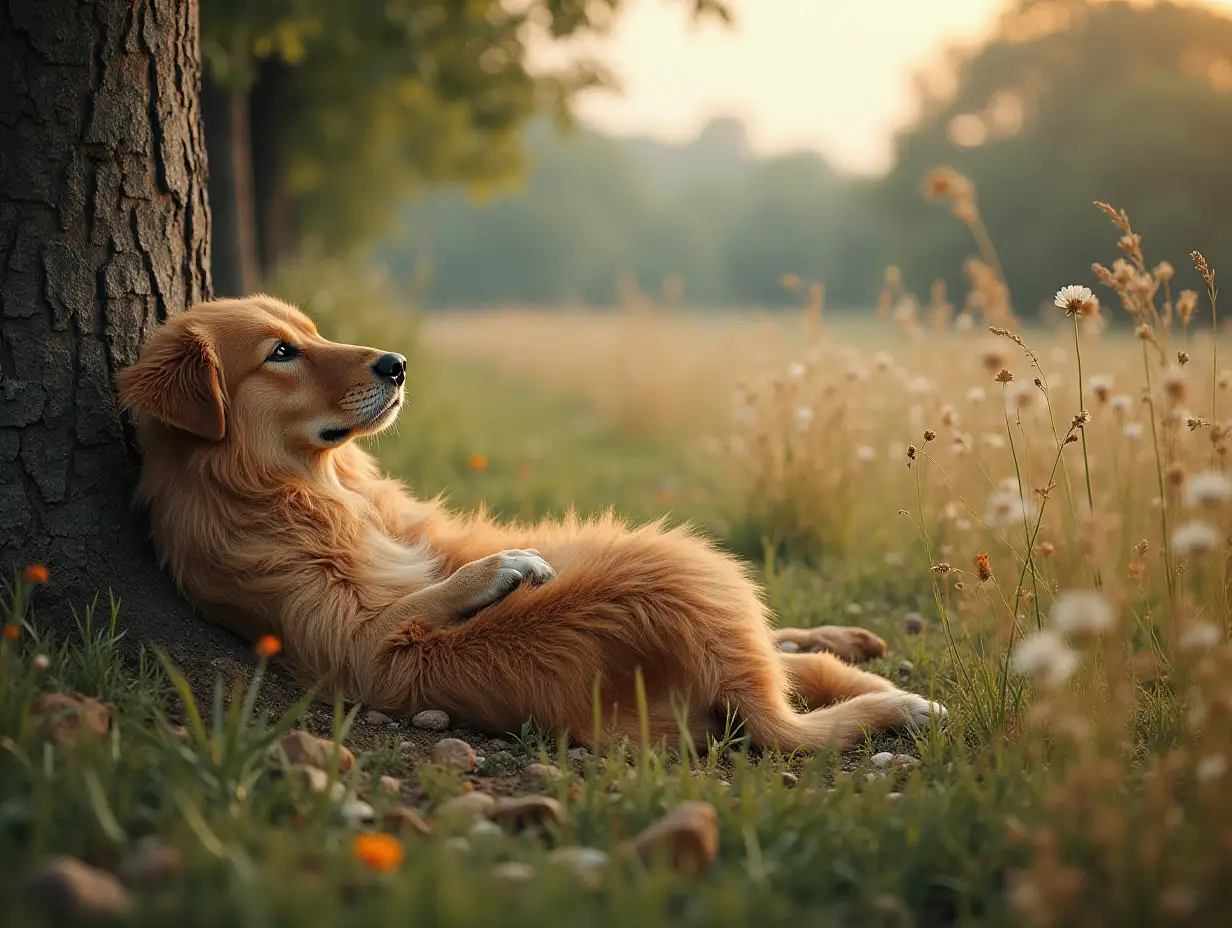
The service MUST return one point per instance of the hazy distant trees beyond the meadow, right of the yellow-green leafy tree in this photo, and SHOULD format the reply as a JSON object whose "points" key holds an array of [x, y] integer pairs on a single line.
{"points": [[1069, 102]]}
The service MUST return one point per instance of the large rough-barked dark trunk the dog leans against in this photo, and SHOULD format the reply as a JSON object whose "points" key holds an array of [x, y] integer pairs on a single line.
{"points": [[104, 232]]}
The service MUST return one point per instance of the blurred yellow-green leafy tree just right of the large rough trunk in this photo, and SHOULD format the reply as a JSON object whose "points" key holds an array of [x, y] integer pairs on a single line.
{"points": [[322, 116]]}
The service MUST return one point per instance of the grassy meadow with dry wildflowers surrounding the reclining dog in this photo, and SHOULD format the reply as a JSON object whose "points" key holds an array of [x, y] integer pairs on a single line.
{"points": [[1035, 518]]}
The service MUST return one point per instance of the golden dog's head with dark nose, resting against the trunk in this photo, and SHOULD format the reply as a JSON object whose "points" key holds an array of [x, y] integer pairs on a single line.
{"points": [[258, 372]]}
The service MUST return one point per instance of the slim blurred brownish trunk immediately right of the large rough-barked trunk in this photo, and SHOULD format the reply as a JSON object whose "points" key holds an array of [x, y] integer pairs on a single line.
{"points": [[229, 144]]}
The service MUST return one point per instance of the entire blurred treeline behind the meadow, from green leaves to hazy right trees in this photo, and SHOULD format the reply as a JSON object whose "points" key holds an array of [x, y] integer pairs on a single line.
{"points": [[1070, 102]]}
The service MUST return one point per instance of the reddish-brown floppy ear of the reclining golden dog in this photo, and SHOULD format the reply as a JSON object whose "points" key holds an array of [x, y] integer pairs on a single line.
{"points": [[177, 381]]}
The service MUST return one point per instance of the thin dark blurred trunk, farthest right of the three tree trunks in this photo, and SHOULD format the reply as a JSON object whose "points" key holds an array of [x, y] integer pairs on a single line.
{"points": [[273, 103]]}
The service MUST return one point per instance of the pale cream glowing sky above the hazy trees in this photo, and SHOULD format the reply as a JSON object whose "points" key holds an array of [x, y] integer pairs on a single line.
{"points": [[829, 76]]}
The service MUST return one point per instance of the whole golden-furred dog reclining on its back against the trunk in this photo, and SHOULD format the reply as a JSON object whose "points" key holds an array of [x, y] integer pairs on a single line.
{"points": [[274, 522]]}
